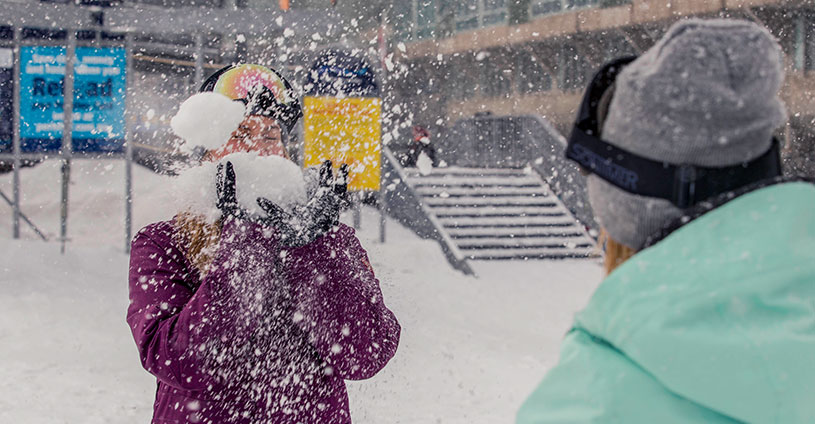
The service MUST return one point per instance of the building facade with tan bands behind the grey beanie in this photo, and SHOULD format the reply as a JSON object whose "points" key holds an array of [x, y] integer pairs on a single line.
{"points": [[518, 57]]}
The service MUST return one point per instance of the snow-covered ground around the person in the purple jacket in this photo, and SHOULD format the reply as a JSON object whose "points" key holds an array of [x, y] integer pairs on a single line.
{"points": [[471, 348]]}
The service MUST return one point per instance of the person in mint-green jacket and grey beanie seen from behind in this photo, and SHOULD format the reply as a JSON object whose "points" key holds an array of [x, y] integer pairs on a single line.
{"points": [[707, 312]]}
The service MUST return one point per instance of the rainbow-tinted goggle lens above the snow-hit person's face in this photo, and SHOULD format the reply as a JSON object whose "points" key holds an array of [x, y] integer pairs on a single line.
{"points": [[238, 82]]}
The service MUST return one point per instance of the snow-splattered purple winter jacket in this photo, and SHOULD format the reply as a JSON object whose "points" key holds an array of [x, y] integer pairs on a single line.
{"points": [[267, 336]]}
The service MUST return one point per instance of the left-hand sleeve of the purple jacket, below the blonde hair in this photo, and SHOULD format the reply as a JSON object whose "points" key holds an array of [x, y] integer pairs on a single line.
{"points": [[171, 321]]}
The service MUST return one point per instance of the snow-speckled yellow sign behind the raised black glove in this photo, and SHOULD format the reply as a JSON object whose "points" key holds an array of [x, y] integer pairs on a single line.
{"points": [[345, 131]]}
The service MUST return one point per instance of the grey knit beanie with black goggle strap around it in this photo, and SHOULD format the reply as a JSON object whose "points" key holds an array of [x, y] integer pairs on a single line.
{"points": [[706, 94]]}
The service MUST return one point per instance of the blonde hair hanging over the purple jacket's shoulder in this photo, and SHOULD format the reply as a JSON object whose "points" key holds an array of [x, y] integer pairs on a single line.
{"points": [[198, 239]]}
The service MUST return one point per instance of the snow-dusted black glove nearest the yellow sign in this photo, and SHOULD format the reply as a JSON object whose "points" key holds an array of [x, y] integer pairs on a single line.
{"points": [[322, 212]]}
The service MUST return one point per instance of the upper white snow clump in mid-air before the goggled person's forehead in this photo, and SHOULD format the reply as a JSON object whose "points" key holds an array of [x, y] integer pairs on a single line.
{"points": [[207, 120]]}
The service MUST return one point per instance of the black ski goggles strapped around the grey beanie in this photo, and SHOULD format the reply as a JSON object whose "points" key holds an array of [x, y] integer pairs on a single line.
{"points": [[682, 184]]}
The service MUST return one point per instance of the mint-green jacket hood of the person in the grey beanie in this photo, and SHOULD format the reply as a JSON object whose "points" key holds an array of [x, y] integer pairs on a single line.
{"points": [[722, 311]]}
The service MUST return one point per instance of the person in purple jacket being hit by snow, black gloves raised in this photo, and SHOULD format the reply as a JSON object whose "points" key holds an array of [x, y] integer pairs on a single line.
{"points": [[257, 319]]}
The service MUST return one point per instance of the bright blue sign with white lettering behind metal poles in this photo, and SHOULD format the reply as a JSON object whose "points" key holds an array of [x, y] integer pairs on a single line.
{"points": [[99, 99]]}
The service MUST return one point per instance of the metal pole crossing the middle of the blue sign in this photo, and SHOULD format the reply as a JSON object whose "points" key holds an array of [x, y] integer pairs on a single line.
{"points": [[67, 133]]}
